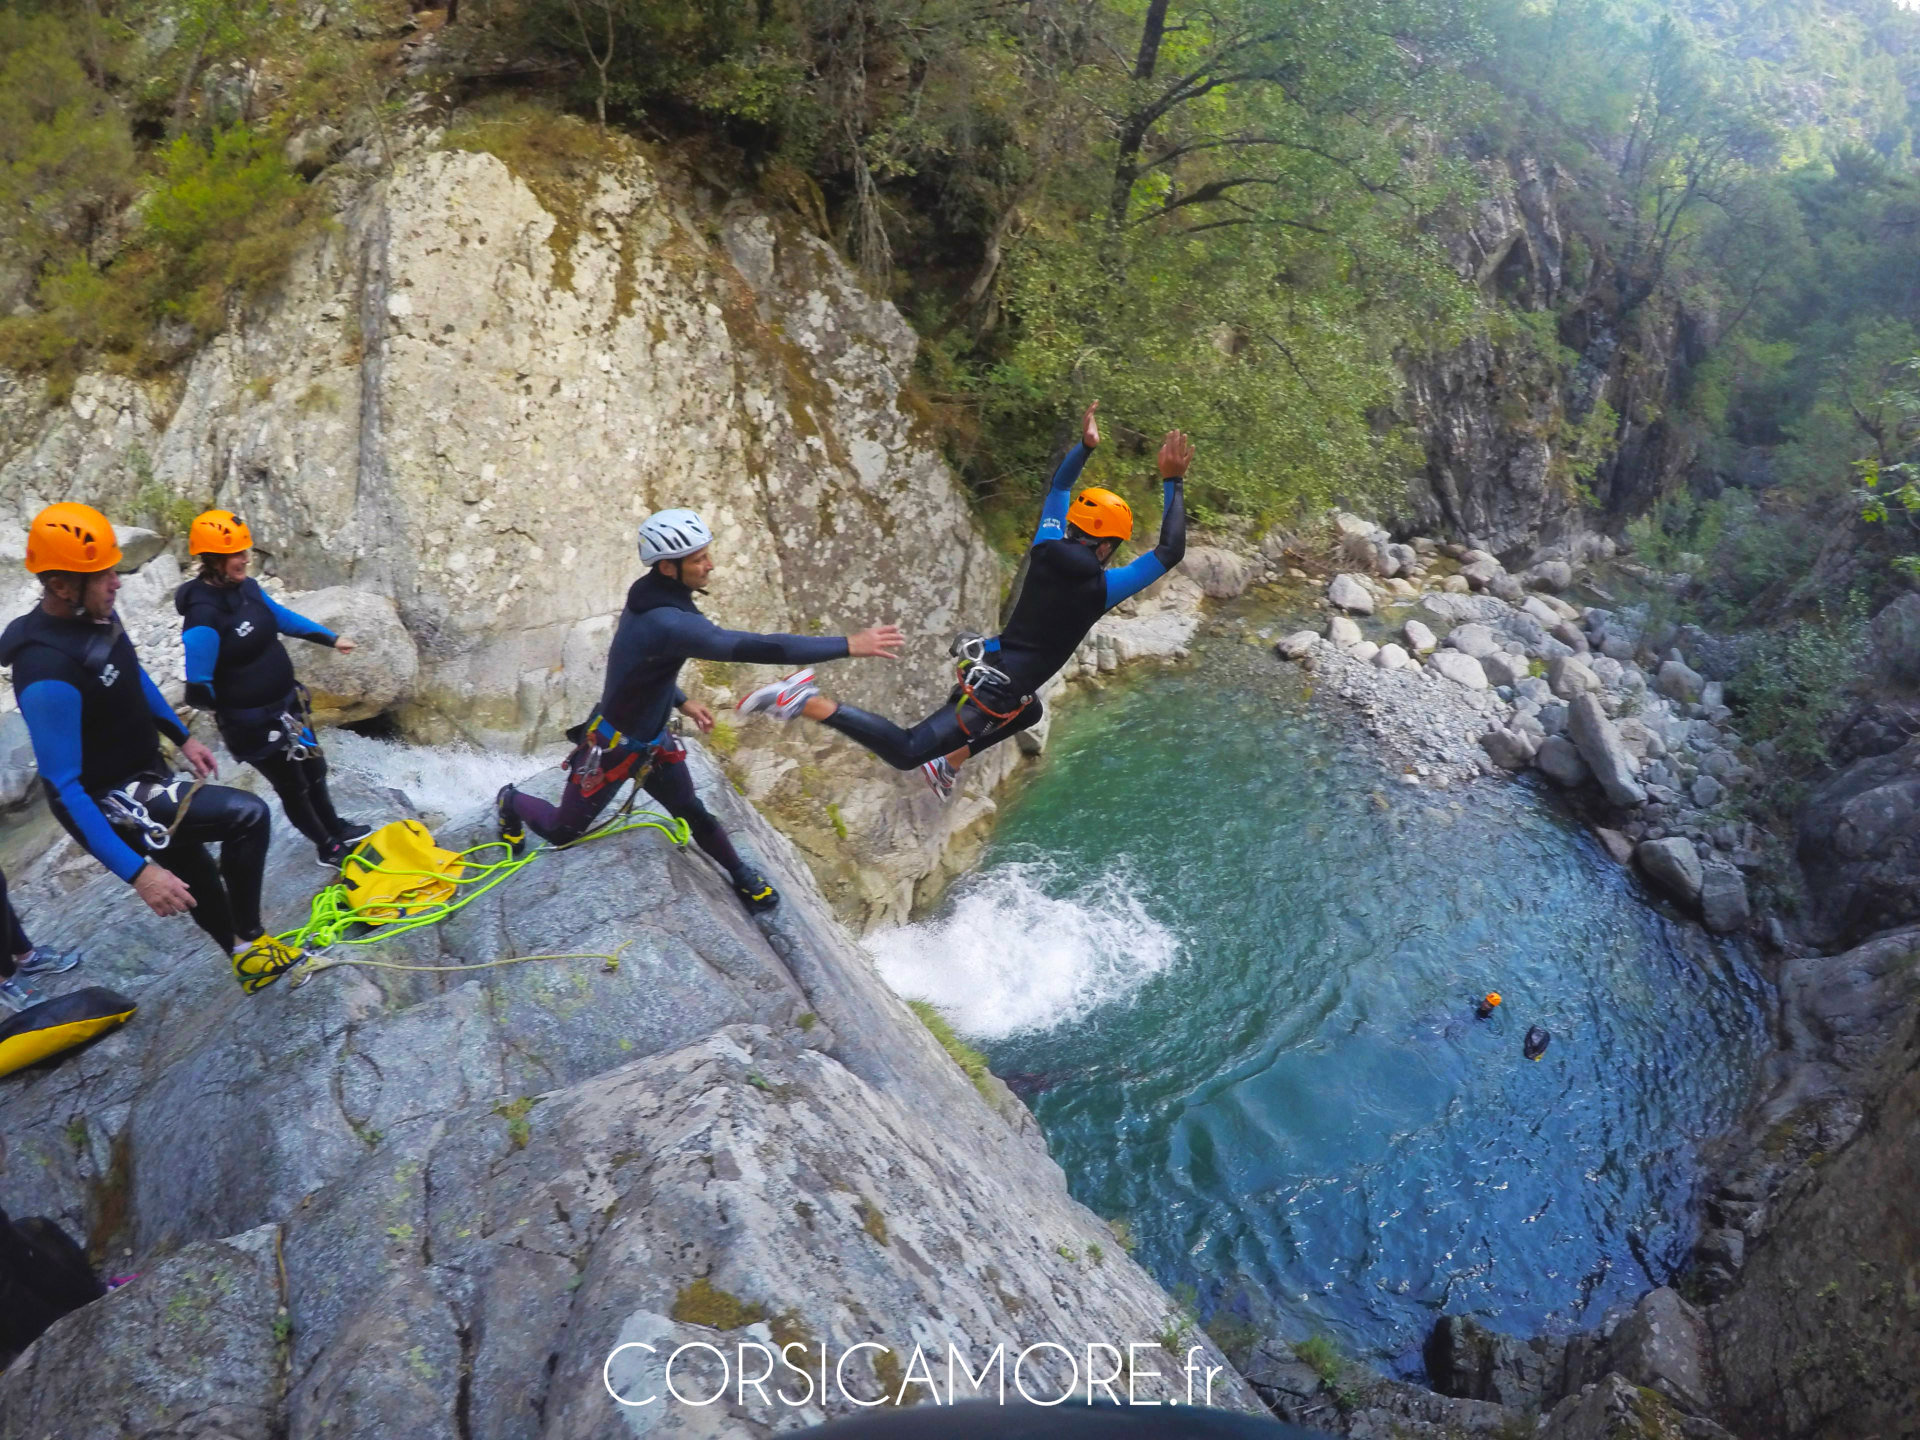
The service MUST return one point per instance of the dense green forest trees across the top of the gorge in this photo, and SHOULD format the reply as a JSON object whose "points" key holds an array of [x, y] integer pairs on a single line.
{"points": [[1245, 218]]}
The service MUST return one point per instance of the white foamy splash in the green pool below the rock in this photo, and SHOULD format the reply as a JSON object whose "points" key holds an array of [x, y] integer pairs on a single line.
{"points": [[1009, 955]]}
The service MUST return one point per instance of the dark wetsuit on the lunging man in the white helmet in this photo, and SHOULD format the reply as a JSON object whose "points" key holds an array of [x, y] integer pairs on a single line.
{"points": [[661, 629]]}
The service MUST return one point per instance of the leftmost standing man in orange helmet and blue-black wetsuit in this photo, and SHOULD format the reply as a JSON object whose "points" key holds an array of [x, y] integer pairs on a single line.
{"points": [[97, 717]]}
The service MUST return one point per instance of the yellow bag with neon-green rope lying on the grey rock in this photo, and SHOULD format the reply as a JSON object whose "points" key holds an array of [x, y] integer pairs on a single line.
{"points": [[398, 880]]}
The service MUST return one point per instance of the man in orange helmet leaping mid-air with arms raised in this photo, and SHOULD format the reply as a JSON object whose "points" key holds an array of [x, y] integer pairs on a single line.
{"points": [[1068, 588]]}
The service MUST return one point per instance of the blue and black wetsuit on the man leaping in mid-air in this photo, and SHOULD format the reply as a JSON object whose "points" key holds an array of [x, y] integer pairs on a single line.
{"points": [[1065, 596]]}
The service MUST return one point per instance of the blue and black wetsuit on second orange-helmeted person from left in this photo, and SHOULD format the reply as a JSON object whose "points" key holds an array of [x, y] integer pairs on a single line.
{"points": [[239, 669]]}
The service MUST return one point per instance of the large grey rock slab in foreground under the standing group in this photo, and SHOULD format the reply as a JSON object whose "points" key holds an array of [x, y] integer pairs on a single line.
{"points": [[433, 1203]]}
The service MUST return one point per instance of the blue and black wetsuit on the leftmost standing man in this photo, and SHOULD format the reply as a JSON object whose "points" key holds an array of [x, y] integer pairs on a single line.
{"points": [[95, 719]]}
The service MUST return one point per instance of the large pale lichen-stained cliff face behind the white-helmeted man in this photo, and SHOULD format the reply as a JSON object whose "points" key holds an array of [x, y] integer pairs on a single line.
{"points": [[468, 395]]}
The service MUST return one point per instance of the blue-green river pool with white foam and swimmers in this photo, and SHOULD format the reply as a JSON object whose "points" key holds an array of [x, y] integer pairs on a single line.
{"points": [[1234, 972]]}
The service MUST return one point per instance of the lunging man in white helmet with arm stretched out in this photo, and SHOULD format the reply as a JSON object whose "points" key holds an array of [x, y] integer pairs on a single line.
{"points": [[660, 631]]}
